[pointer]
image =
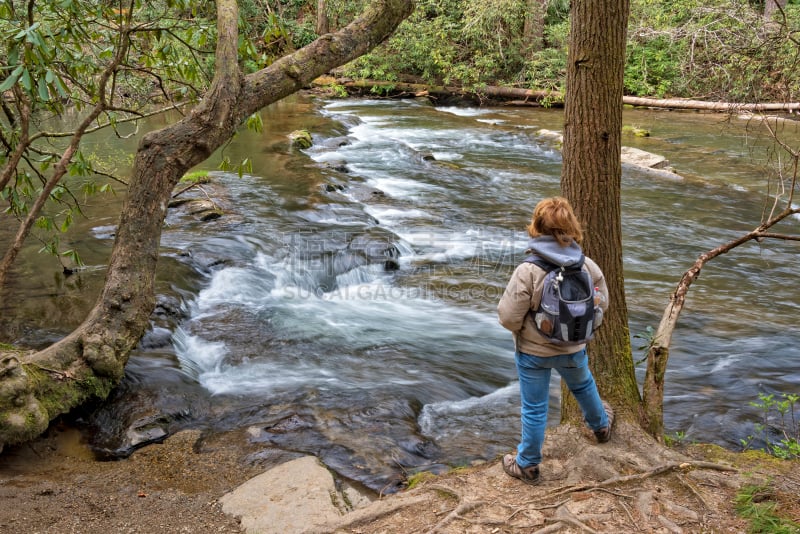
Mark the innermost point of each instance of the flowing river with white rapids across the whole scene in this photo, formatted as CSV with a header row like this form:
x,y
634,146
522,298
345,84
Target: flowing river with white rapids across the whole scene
x,y
345,304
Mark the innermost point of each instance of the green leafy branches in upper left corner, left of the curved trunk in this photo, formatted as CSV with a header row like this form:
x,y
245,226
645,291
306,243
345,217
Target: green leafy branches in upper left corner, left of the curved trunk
x,y
55,54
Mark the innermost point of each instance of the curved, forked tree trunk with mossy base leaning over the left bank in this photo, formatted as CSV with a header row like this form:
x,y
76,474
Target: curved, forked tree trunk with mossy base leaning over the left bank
x,y
37,387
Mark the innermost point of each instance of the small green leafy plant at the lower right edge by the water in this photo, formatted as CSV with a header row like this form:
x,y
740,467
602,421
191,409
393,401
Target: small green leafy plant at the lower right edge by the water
x,y
779,428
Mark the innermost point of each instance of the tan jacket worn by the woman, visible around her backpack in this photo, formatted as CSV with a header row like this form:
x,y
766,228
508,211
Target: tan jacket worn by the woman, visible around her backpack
x,y
522,295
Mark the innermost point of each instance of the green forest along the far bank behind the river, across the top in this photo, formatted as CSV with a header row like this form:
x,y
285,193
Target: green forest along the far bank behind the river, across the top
x,y
740,51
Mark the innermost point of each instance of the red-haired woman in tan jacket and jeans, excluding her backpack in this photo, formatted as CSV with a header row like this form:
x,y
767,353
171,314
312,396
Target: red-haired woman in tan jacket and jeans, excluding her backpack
x,y
555,236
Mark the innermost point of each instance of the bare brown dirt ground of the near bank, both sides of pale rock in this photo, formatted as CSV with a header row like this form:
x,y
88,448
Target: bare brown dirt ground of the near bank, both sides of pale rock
x,y
53,485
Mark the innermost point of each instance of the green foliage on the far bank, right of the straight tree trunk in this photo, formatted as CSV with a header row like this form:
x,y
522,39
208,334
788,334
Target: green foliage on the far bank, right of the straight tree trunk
x,y
722,50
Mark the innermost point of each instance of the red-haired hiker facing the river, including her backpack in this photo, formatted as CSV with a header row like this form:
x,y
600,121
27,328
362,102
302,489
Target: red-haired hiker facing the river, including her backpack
x,y
552,304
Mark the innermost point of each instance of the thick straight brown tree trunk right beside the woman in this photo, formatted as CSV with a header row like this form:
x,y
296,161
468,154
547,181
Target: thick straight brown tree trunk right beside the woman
x,y
591,179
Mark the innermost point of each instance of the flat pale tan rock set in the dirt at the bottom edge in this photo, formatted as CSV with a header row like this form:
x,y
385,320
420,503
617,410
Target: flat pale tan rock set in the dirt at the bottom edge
x,y
294,497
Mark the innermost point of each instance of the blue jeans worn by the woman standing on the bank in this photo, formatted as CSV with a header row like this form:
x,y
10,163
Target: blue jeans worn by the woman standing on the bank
x,y
534,386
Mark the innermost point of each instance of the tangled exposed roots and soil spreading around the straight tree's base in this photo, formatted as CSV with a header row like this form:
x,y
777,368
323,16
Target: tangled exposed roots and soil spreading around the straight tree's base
x,y
581,491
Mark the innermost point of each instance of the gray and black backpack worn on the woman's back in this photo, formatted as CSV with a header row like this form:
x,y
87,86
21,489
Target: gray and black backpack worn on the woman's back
x,y
567,313
